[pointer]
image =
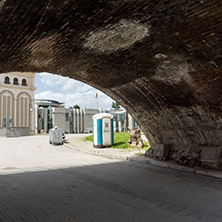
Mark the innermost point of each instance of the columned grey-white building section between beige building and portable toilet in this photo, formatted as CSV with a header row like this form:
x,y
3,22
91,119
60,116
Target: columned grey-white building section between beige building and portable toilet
x,y
50,113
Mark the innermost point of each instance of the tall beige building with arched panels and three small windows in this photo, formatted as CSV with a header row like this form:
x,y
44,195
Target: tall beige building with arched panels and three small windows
x,y
17,91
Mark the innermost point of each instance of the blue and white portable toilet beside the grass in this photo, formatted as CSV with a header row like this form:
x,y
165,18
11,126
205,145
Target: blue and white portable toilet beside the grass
x,y
103,130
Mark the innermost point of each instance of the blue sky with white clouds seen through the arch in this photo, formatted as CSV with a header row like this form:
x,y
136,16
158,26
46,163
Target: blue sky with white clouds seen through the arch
x,y
69,91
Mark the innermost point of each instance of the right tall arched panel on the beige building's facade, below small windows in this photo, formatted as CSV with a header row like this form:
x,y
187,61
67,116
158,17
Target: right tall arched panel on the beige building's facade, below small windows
x,y
23,104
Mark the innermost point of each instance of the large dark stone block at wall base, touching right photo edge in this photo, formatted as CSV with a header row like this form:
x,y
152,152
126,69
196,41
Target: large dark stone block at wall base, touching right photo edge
x,y
210,156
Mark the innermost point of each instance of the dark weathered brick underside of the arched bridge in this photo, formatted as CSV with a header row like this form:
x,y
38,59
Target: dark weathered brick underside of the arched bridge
x,y
161,60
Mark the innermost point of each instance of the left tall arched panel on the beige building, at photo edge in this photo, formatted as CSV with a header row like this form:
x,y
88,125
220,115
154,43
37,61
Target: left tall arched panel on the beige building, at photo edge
x,y
7,106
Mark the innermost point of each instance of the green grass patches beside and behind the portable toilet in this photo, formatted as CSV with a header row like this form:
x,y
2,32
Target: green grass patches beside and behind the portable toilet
x,y
120,141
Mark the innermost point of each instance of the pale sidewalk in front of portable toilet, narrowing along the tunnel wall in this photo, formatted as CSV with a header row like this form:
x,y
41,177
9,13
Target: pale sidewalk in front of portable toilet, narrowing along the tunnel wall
x,y
135,155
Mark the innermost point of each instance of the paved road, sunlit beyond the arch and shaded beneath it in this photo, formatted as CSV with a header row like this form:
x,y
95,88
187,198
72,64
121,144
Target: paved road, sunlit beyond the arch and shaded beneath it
x,y
40,182
